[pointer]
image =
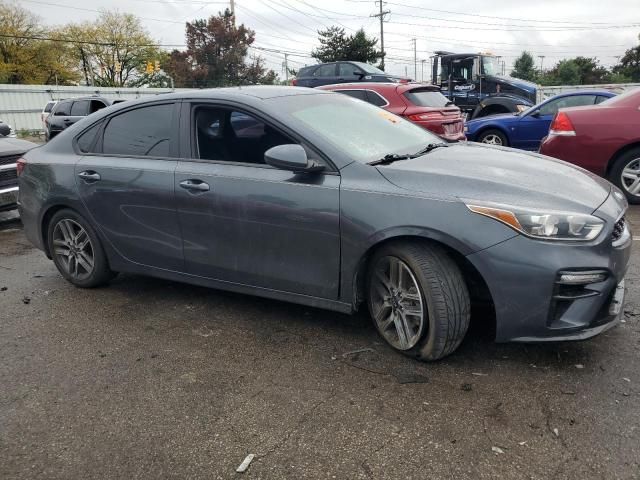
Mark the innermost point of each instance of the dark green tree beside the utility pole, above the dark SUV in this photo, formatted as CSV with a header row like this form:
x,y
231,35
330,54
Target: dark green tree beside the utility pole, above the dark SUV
x,y
336,46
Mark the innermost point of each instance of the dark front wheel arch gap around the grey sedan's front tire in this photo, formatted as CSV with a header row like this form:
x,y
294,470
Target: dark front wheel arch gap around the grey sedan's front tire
x,y
482,304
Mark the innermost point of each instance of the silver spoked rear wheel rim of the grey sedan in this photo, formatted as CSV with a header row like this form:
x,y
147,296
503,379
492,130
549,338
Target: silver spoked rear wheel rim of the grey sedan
x,y
73,248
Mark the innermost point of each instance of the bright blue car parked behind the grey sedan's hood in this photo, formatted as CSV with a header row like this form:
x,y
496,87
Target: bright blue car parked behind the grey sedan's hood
x,y
526,129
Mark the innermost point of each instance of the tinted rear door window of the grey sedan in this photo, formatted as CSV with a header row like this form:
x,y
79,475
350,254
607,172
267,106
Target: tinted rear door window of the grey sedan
x,y
141,132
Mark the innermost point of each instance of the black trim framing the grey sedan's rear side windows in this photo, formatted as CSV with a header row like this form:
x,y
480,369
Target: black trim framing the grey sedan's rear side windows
x,y
174,150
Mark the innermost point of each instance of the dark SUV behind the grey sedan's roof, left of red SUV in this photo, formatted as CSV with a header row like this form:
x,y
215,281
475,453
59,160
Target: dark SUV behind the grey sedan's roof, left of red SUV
x,y
342,72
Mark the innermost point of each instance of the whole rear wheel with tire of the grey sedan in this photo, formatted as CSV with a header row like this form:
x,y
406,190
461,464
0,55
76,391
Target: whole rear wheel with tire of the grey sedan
x,y
77,251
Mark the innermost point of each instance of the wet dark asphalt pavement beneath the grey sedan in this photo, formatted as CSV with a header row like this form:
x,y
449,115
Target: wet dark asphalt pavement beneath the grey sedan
x,y
154,379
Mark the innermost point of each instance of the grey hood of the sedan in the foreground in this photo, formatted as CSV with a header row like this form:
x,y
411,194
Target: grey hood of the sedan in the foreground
x,y
475,172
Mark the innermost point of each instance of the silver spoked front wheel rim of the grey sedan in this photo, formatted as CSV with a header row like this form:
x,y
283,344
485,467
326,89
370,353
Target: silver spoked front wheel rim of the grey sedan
x,y
396,303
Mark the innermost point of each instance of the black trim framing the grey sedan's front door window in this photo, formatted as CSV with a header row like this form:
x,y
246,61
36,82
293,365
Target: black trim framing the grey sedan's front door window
x,y
189,145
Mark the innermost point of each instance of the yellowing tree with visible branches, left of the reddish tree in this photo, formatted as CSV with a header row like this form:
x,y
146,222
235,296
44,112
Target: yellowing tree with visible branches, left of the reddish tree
x,y
112,51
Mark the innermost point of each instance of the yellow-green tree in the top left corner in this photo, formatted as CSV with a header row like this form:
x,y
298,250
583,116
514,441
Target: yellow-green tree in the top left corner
x,y
24,58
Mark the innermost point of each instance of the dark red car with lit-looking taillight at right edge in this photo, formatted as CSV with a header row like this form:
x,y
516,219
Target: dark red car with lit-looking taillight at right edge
x,y
604,139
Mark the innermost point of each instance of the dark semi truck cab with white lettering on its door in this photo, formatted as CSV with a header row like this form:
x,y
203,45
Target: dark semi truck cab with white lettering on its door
x,y
475,83
